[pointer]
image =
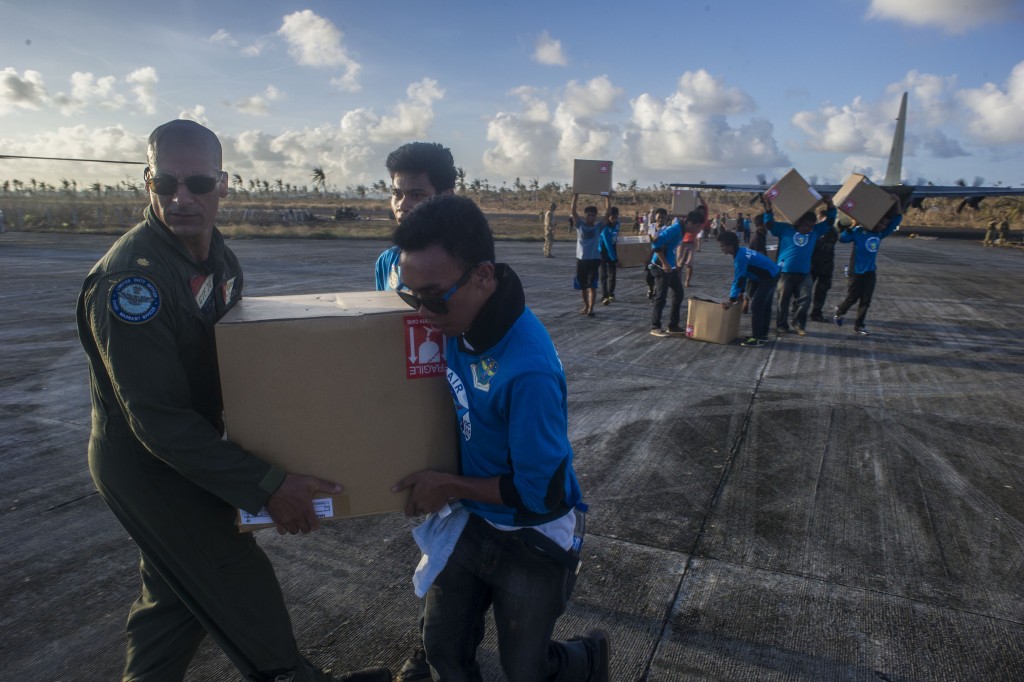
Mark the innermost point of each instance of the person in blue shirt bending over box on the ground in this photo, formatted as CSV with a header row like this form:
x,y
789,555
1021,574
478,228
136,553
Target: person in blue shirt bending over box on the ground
x,y
762,273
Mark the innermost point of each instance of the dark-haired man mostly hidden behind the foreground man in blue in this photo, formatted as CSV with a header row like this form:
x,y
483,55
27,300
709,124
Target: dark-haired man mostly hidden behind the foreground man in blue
x,y
418,170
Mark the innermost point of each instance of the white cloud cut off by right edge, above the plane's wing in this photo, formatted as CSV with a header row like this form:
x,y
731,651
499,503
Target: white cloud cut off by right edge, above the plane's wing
x,y
998,116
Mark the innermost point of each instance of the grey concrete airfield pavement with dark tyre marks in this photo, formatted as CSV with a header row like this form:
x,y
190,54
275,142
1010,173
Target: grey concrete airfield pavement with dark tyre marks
x,y
825,508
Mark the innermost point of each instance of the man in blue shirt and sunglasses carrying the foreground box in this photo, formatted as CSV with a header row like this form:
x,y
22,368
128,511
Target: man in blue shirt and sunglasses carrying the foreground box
x,y
517,480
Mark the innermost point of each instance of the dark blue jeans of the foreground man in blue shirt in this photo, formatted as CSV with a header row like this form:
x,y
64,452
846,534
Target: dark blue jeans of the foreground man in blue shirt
x,y
492,568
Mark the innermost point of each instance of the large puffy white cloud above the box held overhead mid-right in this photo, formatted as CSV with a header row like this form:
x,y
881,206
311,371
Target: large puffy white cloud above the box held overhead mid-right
x,y
690,130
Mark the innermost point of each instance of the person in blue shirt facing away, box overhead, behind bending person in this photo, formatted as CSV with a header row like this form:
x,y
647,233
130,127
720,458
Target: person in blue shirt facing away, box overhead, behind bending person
x,y
796,246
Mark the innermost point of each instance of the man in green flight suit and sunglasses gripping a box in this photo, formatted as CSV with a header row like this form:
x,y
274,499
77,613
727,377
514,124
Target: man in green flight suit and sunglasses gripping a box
x,y
146,319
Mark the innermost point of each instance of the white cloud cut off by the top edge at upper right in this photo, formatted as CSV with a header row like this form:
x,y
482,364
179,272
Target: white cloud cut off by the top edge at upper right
x,y
953,16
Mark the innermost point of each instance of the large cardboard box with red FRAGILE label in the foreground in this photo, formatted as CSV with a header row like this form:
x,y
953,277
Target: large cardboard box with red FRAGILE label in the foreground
x,y
351,388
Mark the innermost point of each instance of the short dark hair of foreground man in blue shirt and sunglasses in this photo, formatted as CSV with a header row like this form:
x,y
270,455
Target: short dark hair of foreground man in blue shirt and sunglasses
x,y
456,224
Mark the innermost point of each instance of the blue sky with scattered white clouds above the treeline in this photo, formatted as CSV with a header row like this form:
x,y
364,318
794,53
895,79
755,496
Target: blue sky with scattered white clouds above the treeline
x,y
671,91
